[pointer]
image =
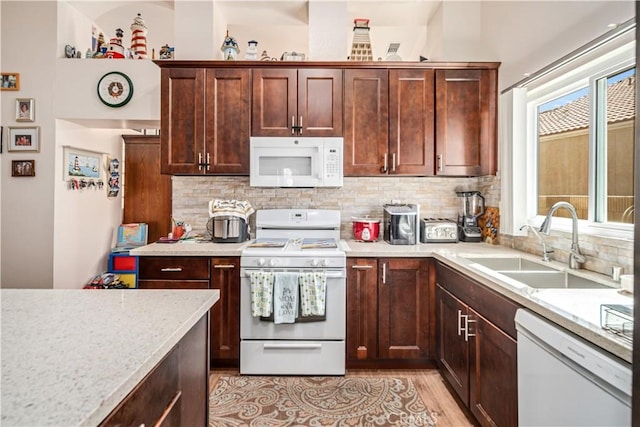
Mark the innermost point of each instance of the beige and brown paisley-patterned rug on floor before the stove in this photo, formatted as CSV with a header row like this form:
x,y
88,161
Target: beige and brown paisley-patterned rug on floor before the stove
x,y
316,401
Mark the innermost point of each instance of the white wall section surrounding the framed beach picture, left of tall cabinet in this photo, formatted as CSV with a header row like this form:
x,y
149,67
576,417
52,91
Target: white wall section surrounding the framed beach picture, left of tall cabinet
x,y
84,220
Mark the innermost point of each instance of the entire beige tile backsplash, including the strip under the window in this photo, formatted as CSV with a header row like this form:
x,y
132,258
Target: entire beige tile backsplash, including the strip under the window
x,y
365,196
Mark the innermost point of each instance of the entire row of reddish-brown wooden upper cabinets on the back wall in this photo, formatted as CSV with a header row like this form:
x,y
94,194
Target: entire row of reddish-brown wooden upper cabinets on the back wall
x,y
405,119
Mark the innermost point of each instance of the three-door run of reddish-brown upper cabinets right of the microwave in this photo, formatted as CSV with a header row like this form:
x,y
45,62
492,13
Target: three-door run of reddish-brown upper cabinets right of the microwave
x,y
420,121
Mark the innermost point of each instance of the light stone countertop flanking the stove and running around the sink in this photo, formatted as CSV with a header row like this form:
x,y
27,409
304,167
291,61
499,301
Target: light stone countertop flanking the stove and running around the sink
x,y
557,305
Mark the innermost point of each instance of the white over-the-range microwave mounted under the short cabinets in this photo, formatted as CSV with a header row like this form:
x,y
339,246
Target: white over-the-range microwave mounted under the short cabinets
x,y
296,161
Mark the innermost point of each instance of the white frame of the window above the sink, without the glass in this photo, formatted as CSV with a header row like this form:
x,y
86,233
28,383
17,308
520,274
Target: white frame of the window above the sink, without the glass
x,y
570,78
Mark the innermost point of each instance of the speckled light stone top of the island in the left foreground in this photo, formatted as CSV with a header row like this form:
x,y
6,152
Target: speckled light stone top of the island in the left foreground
x,y
70,356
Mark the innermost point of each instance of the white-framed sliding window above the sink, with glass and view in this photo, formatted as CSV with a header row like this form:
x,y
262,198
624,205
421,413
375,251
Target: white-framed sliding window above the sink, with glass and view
x,y
582,132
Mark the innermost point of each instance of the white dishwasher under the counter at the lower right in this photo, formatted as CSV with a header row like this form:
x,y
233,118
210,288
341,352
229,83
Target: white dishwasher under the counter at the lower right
x,y
565,381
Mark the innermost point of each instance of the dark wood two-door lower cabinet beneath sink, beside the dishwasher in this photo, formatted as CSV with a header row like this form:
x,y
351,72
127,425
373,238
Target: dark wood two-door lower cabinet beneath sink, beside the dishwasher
x,y
476,347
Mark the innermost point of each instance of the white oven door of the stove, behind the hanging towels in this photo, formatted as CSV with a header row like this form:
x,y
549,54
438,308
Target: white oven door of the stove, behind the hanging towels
x,y
332,326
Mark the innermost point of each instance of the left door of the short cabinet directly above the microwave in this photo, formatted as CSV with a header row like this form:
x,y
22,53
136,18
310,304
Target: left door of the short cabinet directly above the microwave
x,y
274,102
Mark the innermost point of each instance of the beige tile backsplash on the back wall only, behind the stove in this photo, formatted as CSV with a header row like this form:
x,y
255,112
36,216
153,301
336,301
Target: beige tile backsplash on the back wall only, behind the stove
x,y
358,197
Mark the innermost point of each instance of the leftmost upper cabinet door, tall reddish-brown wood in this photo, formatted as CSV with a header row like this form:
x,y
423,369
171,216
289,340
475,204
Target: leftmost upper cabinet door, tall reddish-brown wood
x,y
182,120
